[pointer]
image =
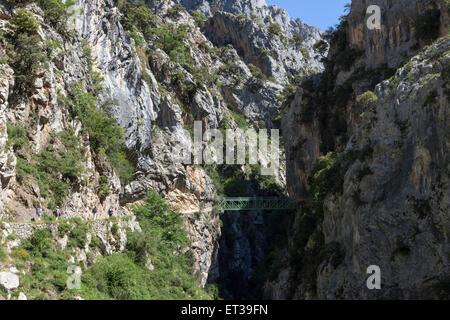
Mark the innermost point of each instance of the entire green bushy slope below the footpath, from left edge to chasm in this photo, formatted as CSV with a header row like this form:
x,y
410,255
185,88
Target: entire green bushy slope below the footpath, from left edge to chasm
x,y
120,275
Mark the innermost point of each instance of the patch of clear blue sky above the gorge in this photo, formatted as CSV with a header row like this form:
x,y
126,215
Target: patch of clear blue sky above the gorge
x,y
318,13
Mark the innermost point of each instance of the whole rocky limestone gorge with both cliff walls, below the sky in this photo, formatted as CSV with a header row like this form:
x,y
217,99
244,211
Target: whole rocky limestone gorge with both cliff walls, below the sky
x,y
96,95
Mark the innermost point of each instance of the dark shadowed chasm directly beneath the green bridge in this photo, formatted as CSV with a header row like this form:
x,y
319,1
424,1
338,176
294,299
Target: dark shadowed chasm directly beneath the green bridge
x,y
250,252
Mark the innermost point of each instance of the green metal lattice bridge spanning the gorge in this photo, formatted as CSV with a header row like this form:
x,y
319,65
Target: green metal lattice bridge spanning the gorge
x,y
250,204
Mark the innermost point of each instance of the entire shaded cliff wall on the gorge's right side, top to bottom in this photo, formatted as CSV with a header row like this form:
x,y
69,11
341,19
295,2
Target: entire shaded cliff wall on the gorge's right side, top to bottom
x,y
387,203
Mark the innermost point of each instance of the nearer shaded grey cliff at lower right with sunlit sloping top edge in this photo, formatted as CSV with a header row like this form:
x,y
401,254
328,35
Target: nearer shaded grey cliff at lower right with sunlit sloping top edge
x,y
395,214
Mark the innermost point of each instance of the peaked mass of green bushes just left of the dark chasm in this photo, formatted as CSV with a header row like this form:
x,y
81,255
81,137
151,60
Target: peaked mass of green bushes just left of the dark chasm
x,y
125,276
